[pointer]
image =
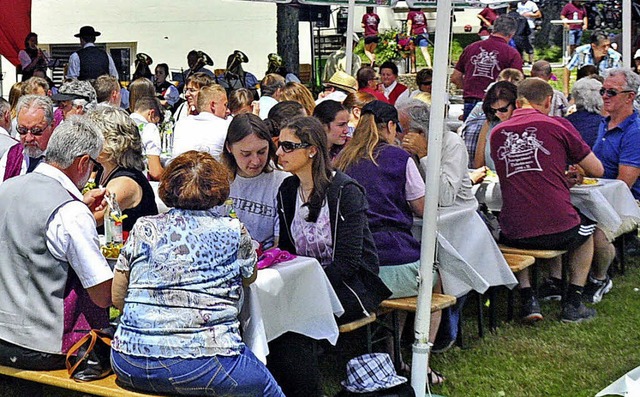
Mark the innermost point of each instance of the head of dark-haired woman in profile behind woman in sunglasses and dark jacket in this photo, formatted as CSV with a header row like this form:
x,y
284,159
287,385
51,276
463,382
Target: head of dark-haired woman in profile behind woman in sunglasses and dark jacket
x,y
335,120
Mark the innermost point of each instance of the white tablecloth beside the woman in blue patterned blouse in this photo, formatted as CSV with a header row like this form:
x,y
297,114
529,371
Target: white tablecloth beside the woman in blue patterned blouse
x,y
292,296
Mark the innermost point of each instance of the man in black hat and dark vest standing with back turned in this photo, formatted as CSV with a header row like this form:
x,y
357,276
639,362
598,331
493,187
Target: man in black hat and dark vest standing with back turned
x,y
90,61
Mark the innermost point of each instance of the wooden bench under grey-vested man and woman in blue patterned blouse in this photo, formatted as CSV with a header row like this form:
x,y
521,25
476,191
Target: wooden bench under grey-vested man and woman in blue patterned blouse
x,y
60,378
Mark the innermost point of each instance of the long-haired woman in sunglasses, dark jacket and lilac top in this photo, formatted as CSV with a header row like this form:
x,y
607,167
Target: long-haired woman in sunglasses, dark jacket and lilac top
x,y
322,214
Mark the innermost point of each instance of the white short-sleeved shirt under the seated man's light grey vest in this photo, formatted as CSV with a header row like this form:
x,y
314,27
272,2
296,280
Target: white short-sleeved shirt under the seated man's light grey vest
x,y
72,236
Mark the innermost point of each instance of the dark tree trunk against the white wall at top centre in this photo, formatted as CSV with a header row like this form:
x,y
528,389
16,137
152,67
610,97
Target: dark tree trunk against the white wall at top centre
x,y
287,32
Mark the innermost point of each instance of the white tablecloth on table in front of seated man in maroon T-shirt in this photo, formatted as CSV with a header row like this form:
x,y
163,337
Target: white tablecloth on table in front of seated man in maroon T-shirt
x,y
610,203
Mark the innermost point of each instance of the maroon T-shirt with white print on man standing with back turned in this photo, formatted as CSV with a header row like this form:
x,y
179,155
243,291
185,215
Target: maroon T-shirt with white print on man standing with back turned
x,y
482,61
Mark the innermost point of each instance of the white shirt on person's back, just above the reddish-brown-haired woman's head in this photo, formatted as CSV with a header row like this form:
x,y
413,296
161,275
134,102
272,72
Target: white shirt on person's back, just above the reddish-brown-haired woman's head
x,y
204,132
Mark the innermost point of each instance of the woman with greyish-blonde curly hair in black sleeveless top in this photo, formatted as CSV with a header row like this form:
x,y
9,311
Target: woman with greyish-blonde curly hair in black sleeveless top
x,y
120,166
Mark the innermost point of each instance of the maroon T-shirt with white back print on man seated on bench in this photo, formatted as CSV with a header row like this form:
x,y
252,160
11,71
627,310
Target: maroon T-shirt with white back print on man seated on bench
x,y
531,152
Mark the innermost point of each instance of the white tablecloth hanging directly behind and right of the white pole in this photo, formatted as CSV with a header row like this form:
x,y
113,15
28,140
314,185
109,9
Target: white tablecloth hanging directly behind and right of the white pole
x,y
468,255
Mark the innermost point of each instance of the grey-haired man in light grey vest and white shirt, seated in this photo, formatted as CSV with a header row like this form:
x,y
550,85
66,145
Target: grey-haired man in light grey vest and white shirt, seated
x,y
54,281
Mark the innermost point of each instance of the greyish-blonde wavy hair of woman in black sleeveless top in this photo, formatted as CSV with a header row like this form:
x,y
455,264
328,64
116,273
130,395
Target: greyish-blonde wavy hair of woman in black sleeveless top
x,y
122,141
